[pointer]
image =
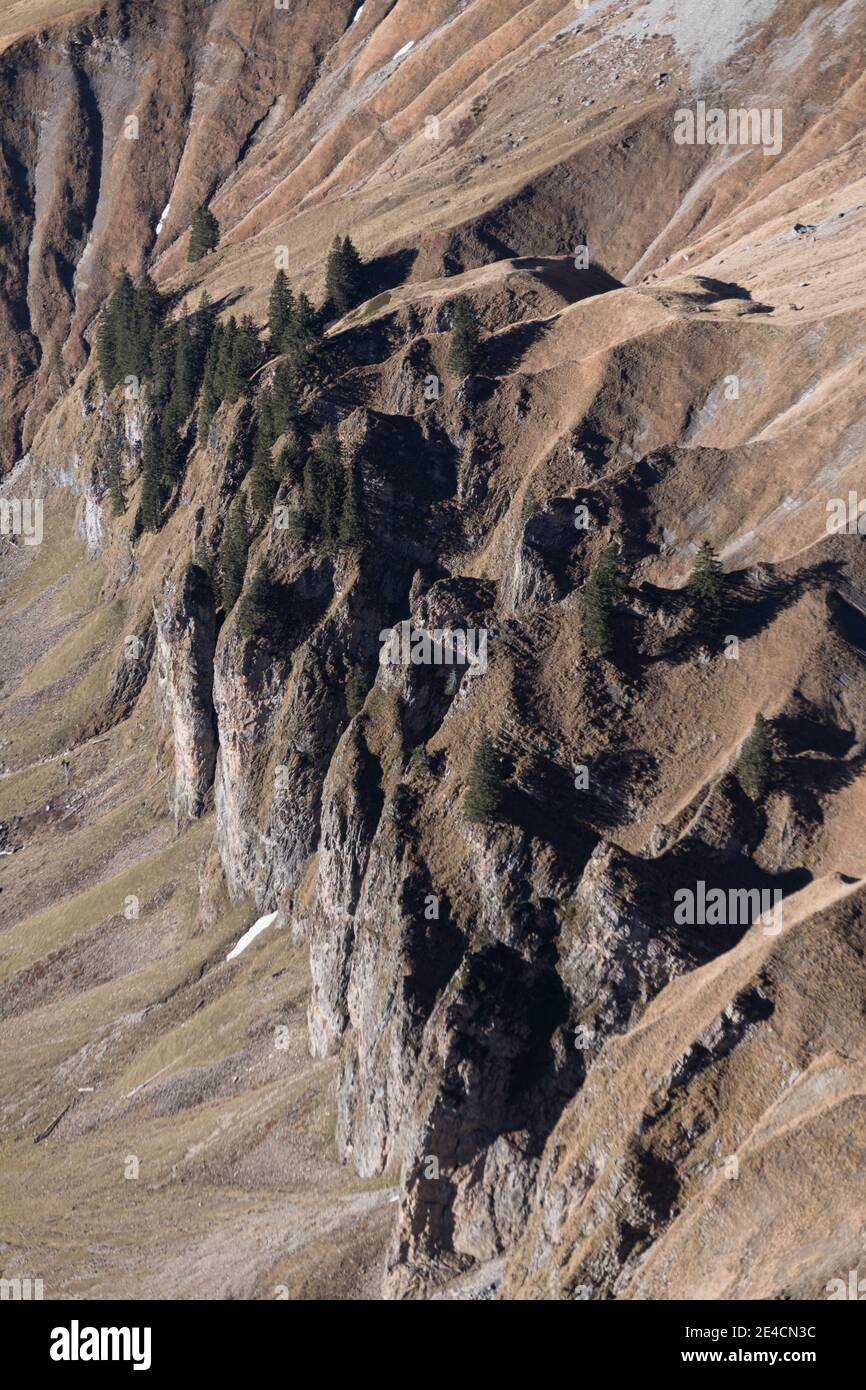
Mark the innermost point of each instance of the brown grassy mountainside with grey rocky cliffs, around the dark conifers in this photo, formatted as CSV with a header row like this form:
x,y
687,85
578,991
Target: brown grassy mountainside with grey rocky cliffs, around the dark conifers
x,y
508,1021
